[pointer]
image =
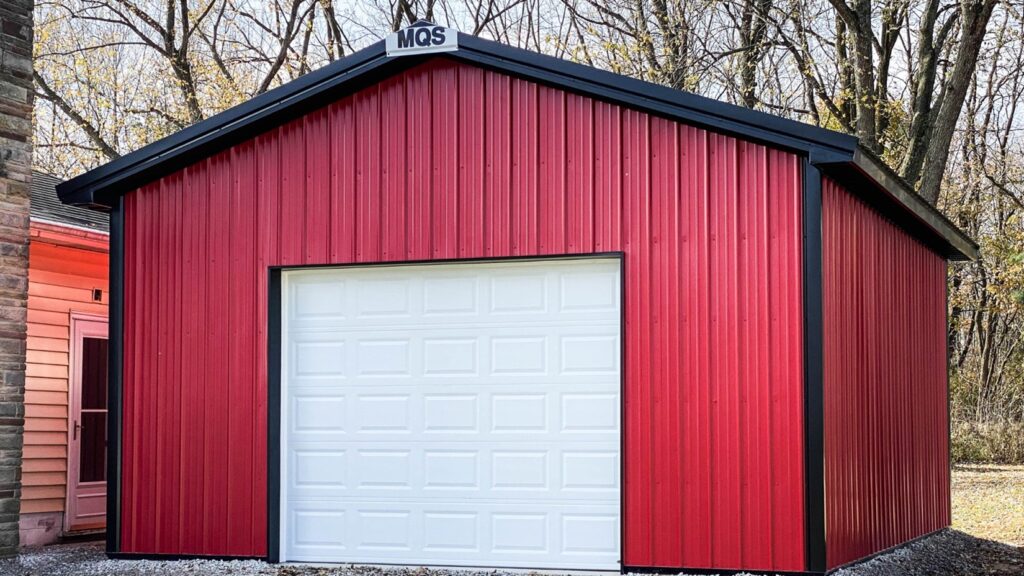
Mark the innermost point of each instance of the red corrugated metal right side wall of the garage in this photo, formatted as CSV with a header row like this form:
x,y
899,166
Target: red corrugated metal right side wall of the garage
x,y
887,452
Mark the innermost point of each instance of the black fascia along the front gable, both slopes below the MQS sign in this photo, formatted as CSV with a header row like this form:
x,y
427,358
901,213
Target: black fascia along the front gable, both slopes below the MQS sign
x,y
100,187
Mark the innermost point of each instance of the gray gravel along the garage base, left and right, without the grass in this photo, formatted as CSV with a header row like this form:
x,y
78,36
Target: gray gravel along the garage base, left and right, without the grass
x,y
948,554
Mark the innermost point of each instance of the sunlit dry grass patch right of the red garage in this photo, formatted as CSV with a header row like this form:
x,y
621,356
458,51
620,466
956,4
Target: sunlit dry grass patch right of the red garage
x,y
989,502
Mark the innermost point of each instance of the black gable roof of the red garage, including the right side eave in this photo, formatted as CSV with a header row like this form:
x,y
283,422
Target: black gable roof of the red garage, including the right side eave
x,y
835,153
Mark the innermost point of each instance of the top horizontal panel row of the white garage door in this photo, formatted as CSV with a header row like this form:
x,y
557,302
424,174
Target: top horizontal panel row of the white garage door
x,y
504,296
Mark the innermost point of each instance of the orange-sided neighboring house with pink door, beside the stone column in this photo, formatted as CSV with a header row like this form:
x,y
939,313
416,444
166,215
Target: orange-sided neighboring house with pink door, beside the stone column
x,y
64,463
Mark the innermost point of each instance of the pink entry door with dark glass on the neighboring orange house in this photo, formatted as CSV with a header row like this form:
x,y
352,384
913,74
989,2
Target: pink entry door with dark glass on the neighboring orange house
x,y
88,426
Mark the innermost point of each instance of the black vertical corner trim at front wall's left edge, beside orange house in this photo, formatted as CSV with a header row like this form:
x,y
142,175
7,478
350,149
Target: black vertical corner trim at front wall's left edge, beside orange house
x,y
115,361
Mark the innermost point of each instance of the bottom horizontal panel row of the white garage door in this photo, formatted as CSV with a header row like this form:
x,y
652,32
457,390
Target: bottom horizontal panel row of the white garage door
x,y
383,532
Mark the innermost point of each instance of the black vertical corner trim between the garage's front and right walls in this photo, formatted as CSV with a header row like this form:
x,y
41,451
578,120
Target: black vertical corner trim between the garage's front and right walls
x,y
815,484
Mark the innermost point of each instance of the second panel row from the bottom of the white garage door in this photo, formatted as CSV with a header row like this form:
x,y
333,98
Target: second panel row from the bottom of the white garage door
x,y
546,471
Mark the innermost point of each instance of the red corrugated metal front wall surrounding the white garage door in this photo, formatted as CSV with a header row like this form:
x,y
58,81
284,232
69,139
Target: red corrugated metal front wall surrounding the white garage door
x,y
450,161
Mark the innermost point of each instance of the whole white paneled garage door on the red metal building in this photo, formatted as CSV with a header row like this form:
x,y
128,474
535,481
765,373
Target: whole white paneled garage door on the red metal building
x,y
457,415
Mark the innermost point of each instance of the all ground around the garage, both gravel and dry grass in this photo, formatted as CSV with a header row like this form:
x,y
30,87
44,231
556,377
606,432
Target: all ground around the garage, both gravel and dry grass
x,y
987,540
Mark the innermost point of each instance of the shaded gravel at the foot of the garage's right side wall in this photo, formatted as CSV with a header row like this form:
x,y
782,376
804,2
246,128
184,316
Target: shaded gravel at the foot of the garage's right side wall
x,y
949,554
